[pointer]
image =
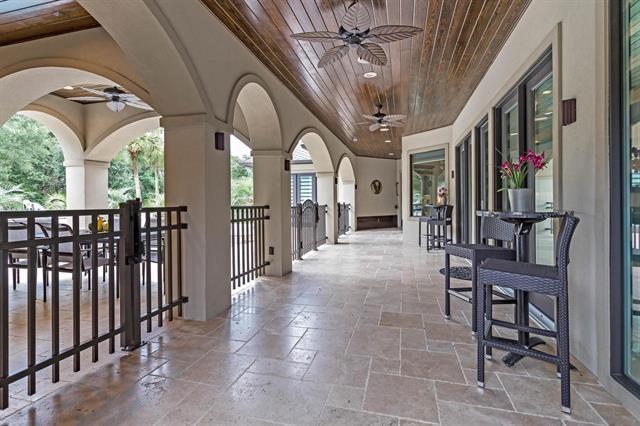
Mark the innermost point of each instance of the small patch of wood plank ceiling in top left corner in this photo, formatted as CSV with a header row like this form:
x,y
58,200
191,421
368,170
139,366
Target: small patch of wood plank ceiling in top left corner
x,y
24,20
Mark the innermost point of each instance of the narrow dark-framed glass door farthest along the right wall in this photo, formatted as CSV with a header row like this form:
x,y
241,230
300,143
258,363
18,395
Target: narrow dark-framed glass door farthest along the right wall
x,y
463,191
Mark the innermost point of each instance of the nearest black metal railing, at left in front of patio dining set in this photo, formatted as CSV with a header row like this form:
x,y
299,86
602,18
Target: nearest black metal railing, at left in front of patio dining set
x,y
81,243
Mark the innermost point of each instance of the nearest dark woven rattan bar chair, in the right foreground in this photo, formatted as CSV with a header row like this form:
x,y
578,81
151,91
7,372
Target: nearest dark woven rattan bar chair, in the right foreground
x,y
529,277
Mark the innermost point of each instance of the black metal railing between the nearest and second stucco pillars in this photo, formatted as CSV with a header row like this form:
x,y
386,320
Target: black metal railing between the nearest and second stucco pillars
x,y
248,255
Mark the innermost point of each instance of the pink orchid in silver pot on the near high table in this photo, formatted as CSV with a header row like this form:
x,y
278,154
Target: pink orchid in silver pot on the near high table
x,y
514,173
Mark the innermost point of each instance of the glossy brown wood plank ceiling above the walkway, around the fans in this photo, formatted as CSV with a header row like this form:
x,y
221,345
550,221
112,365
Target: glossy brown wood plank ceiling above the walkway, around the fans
x,y
429,77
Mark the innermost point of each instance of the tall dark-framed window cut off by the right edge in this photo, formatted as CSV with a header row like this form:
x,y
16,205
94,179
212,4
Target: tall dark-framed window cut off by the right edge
x,y
625,194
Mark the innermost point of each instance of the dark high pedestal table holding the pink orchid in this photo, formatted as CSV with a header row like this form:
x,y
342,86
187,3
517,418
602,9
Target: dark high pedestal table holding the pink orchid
x,y
523,222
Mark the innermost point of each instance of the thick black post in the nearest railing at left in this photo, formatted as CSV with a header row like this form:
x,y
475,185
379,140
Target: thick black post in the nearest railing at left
x,y
130,250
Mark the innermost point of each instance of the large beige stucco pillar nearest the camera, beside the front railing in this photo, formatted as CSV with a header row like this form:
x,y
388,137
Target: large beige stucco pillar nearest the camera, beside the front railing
x,y
198,176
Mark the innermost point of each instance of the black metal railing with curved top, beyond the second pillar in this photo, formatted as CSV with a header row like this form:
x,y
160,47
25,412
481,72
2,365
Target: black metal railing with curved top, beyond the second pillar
x,y
308,228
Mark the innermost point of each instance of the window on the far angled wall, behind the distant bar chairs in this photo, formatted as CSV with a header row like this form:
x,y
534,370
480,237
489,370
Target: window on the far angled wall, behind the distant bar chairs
x,y
428,173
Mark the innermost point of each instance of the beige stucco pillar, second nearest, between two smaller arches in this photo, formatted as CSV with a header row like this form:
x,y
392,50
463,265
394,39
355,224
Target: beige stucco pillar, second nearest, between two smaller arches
x,y
272,187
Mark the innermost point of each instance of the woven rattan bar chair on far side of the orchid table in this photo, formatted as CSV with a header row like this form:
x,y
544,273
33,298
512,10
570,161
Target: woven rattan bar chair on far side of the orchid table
x,y
491,230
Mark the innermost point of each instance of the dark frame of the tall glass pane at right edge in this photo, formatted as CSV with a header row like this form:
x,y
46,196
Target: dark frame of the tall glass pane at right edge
x,y
617,214
